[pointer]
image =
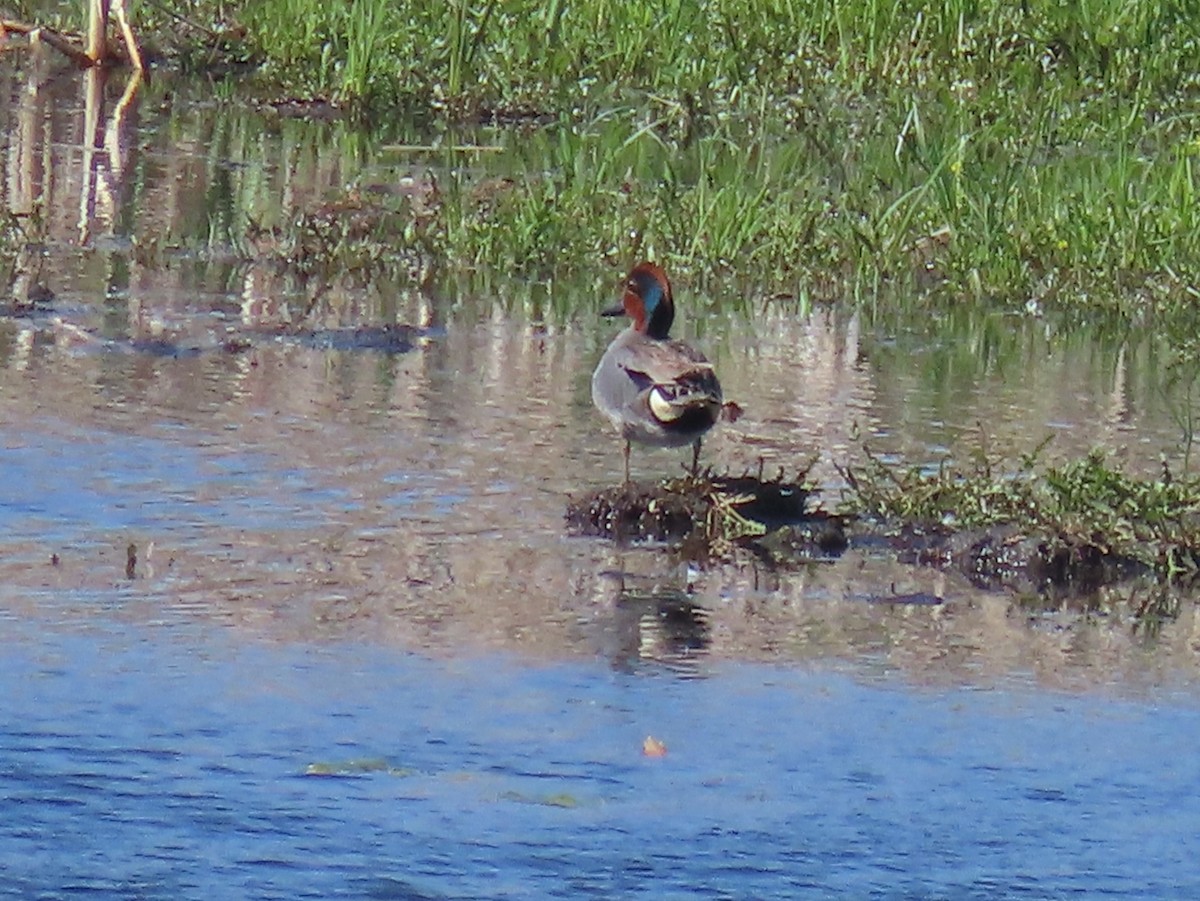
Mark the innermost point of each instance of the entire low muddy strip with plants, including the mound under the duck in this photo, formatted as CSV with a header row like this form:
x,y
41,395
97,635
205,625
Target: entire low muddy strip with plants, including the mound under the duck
x,y
1066,531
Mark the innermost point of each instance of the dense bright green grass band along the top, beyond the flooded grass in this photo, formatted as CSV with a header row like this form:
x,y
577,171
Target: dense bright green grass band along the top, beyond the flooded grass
x,y
713,57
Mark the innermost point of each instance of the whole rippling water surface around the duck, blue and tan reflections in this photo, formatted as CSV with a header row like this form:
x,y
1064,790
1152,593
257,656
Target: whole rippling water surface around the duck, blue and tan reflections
x,y
220,570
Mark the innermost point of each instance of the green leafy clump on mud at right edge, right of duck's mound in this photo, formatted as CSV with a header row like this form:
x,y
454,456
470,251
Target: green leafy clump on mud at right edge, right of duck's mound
x,y
1082,521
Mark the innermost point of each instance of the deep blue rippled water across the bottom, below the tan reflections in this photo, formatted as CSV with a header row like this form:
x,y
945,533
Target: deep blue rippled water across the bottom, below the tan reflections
x,y
170,762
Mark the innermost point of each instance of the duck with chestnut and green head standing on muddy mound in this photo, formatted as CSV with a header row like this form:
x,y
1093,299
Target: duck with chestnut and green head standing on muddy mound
x,y
653,389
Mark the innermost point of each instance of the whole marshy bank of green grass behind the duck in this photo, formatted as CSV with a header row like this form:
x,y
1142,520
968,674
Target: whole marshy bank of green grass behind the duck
x,y
1027,157
